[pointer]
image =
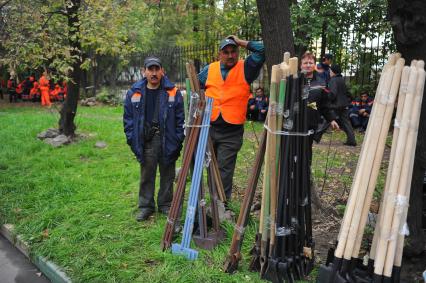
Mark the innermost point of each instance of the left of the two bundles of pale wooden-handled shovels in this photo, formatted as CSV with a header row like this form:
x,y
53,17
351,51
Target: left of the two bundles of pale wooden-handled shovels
x,y
362,187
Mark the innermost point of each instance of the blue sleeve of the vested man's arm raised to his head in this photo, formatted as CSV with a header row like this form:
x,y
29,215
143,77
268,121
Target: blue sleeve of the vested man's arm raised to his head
x,y
254,61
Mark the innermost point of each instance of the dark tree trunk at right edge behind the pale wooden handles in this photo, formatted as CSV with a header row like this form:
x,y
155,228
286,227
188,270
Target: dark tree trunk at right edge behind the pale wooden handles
x,y
408,20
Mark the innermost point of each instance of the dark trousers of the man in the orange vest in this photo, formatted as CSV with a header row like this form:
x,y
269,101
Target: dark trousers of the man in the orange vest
x,y
227,141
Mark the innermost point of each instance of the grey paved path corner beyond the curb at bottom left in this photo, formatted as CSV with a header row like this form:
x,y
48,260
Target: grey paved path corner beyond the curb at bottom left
x,y
15,267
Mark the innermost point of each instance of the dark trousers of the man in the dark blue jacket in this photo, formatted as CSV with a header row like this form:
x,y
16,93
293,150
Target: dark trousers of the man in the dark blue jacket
x,y
152,158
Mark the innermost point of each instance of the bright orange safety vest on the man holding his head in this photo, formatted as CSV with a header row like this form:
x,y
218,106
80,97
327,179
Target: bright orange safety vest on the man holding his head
x,y
230,96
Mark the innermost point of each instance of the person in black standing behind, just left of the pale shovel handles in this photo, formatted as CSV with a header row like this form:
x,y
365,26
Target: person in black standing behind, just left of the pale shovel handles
x,y
340,102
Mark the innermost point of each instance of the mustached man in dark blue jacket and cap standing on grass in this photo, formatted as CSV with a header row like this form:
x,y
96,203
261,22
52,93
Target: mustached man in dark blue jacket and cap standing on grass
x,y
153,123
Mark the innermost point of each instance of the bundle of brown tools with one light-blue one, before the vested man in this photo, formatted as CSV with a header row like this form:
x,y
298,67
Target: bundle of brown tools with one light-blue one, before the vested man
x,y
196,139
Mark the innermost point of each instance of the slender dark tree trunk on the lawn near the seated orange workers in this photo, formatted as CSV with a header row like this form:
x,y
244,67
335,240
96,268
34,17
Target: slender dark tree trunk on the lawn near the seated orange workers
x,y
69,109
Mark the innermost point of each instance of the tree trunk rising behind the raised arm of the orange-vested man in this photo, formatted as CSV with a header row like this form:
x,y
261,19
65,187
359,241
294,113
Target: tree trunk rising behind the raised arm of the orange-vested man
x,y
276,30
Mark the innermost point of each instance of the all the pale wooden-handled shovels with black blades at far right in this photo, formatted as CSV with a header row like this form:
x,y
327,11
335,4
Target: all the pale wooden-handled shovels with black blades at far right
x,y
385,256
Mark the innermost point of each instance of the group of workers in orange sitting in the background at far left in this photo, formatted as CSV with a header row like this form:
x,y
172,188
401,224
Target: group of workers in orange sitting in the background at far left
x,y
43,90
